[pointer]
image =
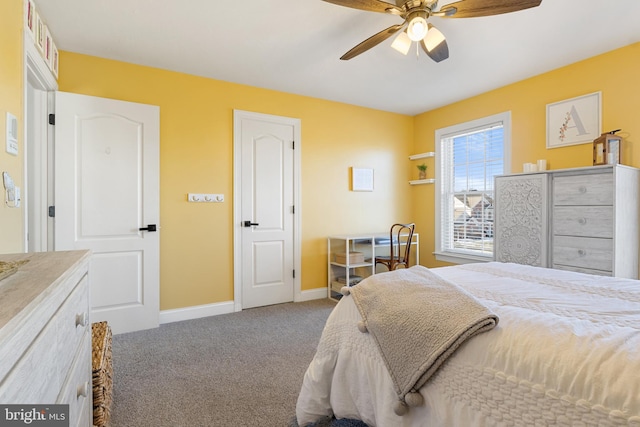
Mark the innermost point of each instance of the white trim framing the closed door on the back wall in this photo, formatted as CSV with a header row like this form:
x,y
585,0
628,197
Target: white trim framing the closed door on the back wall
x,y
238,116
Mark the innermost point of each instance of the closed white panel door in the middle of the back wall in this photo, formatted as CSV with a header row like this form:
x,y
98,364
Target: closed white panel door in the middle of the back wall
x,y
265,222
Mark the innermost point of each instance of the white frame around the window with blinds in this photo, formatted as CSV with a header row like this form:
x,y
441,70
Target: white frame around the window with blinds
x,y
440,253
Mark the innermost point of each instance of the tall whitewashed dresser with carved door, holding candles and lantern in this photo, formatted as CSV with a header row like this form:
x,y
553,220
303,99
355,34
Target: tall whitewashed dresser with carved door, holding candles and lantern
x,y
583,219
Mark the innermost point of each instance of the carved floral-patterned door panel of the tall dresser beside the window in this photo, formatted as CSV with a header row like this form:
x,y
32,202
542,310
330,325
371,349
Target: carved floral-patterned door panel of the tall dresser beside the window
x,y
521,225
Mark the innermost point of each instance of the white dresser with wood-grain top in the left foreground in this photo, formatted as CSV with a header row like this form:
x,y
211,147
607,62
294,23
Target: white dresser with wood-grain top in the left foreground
x,y
45,333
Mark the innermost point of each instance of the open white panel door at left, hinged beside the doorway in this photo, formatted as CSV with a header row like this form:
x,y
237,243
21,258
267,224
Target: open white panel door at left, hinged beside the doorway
x,y
106,193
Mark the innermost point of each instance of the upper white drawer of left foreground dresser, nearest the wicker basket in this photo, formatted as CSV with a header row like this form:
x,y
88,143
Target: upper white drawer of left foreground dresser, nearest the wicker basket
x,y
73,323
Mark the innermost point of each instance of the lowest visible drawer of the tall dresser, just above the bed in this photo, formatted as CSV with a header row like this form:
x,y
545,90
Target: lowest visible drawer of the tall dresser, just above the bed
x,y
583,252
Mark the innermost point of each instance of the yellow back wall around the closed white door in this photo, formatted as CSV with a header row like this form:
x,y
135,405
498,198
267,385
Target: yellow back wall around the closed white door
x,y
196,155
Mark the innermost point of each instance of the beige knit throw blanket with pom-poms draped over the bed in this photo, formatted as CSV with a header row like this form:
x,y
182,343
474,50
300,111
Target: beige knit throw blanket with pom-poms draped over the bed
x,y
417,320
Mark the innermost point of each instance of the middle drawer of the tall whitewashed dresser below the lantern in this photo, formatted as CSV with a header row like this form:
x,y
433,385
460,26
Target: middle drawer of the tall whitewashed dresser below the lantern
x,y
583,221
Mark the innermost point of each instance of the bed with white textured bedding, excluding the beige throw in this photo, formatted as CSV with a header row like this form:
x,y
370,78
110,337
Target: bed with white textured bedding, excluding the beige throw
x,y
565,352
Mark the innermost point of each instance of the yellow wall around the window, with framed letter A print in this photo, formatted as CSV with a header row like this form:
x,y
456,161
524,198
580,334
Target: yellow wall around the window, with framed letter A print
x,y
615,74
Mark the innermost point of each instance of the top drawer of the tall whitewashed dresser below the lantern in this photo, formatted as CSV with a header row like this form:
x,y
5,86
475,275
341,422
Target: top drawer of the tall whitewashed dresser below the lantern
x,y
577,190
